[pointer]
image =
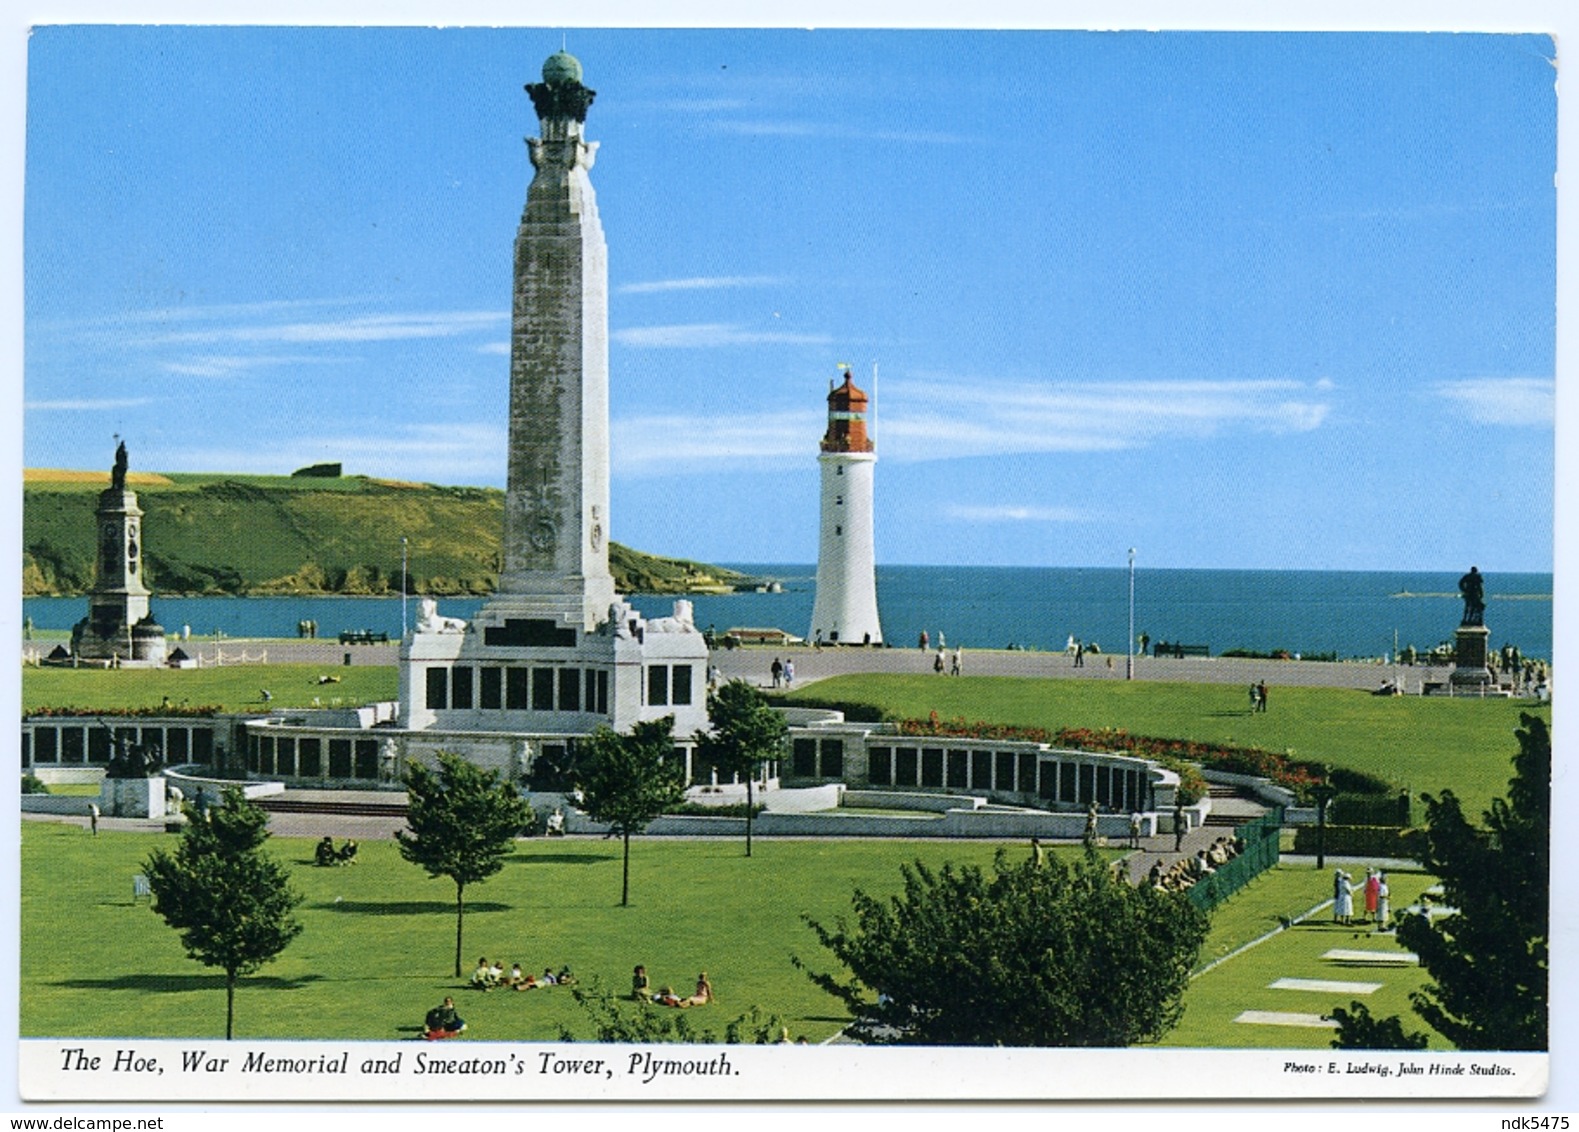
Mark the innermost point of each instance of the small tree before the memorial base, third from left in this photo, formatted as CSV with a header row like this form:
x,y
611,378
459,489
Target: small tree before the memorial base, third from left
x,y
629,781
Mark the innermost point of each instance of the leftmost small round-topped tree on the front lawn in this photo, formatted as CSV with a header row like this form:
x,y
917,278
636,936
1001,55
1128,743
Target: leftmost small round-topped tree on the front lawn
x,y
225,894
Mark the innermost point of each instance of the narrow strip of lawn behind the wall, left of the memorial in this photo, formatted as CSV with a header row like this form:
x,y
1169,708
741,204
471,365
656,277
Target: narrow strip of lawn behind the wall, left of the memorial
x,y
231,689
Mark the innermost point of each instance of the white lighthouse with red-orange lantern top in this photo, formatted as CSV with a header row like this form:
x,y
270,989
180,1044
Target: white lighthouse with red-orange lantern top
x,y
847,587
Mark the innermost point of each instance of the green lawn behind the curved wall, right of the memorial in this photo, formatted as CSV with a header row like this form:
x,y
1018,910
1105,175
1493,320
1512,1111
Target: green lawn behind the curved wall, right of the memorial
x,y
1422,744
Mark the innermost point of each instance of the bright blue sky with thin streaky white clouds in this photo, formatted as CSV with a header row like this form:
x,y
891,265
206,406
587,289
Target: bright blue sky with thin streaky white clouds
x,y
1236,301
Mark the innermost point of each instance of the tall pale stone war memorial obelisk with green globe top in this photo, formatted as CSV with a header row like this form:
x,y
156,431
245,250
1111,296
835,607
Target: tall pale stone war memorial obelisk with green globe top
x,y
557,653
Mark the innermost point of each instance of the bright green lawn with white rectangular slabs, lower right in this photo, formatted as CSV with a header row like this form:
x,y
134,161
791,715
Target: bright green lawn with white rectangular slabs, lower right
x,y
1221,995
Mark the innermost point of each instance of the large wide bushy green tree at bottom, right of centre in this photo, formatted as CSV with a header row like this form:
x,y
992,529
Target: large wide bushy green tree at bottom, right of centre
x,y
1033,954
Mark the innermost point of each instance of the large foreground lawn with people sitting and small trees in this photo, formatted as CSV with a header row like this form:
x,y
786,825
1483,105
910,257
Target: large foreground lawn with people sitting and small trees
x,y
378,939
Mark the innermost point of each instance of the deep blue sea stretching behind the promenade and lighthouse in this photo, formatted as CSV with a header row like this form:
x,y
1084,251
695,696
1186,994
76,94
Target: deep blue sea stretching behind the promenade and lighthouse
x,y
1305,612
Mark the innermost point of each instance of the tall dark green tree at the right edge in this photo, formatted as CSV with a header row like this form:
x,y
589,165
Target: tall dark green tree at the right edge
x,y
1488,961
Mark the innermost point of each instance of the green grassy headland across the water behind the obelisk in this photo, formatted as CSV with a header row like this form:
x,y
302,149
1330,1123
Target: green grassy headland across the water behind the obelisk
x,y
279,534
